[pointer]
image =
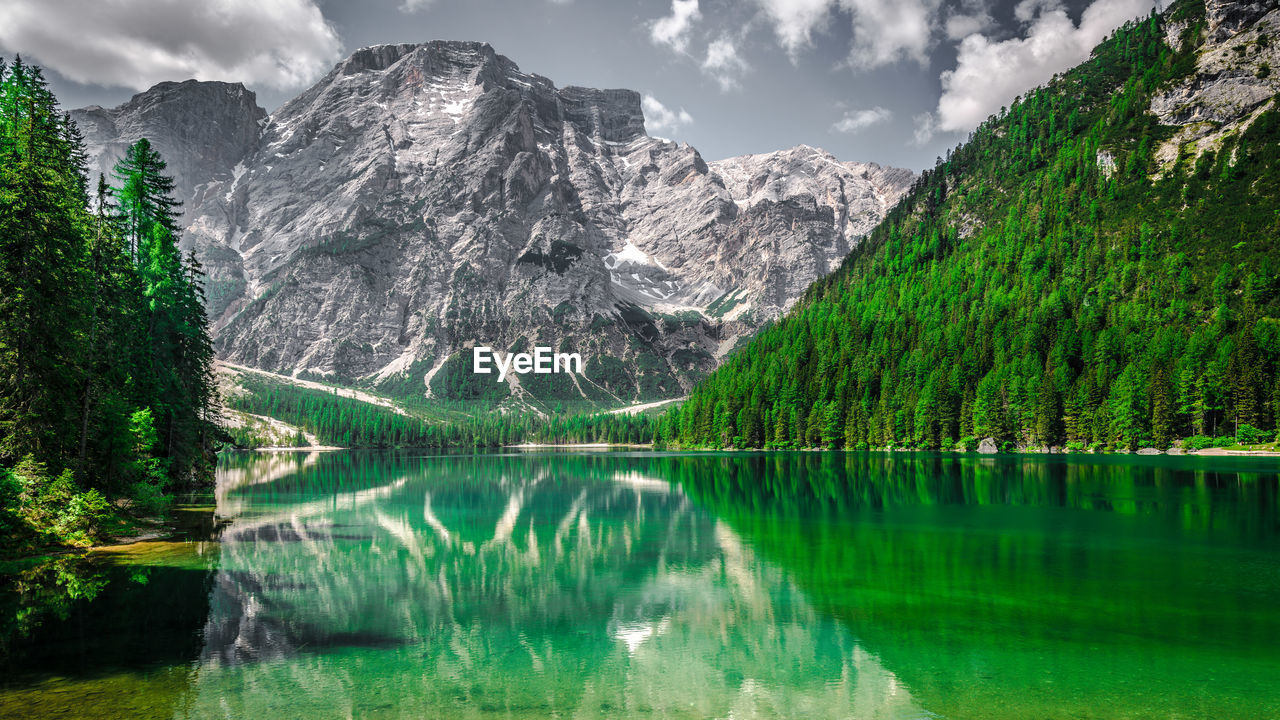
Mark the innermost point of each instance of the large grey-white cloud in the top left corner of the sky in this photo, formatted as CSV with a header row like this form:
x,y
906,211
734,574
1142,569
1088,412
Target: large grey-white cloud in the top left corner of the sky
x,y
280,44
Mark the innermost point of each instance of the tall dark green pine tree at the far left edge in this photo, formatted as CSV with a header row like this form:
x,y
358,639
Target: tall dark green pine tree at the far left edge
x,y
42,272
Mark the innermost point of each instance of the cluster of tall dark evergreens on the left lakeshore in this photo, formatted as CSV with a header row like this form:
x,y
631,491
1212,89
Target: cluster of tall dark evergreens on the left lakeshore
x,y
107,397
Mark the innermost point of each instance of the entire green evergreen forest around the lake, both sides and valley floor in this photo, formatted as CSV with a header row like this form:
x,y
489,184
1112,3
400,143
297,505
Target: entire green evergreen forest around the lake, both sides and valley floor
x,y
1054,282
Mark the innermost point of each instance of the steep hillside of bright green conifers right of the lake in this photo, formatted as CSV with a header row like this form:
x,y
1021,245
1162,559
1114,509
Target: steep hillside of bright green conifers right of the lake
x,y
1048,284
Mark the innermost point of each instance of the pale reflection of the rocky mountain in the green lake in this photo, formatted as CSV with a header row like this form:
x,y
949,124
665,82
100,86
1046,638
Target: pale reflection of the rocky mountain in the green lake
x,y
509,585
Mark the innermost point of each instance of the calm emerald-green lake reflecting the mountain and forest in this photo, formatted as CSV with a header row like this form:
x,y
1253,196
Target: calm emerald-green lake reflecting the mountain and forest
x,y
634,585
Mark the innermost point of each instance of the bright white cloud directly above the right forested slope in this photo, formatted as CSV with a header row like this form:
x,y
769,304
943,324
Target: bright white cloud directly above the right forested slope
x,y
990,75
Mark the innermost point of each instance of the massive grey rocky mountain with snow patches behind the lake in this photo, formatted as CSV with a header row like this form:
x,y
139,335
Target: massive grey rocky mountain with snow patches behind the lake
x,y
422,199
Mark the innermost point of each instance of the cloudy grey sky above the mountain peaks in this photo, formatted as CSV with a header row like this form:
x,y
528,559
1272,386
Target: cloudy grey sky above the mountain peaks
x,y
897,83
